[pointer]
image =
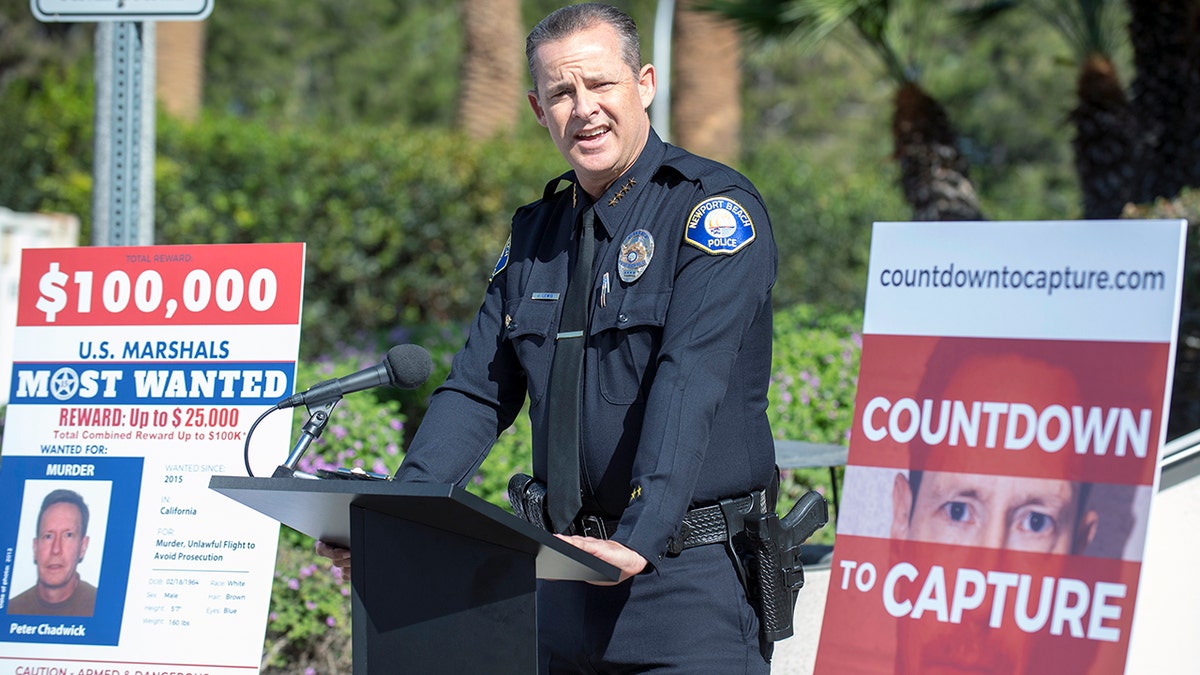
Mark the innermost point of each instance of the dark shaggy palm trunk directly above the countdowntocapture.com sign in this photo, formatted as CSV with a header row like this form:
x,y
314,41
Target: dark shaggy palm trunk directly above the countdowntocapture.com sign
x,y
933,171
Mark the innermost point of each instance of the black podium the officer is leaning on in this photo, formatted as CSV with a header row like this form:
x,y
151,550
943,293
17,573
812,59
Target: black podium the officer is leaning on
x,y
443,582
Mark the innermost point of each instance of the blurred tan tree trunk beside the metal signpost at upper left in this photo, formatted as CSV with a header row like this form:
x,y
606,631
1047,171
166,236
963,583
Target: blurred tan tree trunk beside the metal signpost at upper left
x,y
179,68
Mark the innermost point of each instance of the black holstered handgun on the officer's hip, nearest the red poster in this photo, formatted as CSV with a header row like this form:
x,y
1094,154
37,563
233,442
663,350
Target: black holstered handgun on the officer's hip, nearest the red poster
x,y
767,552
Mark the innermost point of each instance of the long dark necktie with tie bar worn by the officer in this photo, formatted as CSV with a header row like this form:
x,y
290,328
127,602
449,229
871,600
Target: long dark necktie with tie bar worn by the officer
x,y
567,384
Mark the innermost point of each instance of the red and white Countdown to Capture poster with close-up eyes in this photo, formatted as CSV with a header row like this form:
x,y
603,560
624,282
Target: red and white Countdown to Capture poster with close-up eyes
x,y
1009,425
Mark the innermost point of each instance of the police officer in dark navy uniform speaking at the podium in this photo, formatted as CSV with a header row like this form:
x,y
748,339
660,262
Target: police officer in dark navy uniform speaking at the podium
x,y
676,363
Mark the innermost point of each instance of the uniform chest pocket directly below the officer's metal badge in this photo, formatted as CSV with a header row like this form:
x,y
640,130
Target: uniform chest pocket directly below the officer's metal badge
x,y
626,339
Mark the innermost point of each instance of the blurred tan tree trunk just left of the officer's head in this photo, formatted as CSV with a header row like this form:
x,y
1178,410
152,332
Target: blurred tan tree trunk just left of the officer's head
x,y
493,92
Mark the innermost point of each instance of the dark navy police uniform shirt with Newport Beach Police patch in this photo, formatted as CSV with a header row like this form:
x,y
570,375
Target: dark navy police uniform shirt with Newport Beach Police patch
x,y
677,357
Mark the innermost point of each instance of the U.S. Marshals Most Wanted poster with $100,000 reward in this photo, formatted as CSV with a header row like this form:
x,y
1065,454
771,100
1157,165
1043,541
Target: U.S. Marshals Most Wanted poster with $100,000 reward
x,y
137,374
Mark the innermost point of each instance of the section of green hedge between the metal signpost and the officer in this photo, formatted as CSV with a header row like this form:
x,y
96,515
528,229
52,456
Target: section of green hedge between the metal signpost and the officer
x,y
401,229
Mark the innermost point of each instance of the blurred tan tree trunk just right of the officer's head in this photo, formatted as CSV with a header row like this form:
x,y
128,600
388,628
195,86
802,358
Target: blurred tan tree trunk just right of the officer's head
x,y
706,91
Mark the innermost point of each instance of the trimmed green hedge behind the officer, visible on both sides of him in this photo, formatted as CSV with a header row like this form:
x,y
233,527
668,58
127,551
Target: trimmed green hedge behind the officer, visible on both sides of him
x,y
403,226
